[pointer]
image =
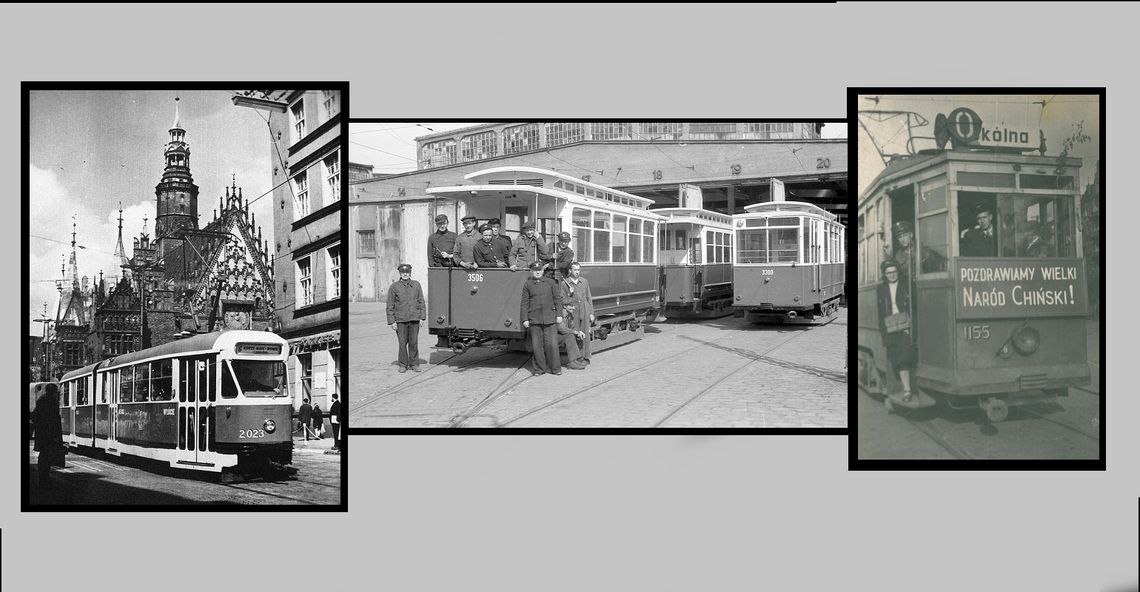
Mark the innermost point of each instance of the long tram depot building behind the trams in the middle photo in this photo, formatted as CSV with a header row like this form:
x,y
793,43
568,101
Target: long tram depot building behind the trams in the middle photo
x,y
729,166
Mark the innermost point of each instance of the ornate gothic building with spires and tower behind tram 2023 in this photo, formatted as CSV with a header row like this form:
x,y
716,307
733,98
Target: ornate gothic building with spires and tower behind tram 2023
x,y
185,280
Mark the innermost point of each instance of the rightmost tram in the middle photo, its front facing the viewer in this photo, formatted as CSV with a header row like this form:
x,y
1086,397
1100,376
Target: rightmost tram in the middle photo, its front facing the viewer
x,y
789,265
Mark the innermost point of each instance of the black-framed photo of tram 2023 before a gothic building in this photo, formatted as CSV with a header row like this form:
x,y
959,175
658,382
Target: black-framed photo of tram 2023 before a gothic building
x,y
183,313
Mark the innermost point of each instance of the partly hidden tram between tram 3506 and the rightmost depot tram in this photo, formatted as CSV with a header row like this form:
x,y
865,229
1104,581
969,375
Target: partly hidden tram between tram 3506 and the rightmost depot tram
x,y
696,263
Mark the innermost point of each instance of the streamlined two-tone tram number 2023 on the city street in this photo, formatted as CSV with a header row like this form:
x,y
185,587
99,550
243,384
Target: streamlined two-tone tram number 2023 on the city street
x,y
205,402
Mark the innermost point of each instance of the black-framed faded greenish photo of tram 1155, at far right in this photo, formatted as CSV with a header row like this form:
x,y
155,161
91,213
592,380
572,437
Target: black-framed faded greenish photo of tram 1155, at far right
x,y
980,275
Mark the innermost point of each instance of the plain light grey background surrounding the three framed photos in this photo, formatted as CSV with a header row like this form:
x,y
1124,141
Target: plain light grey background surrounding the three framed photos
x,y
636,513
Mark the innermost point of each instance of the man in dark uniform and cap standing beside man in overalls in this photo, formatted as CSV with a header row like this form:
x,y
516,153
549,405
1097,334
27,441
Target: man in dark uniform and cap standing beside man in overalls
x,y
541,311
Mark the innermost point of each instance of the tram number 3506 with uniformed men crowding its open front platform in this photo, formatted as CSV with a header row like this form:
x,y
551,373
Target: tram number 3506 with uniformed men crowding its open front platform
x,y
614,238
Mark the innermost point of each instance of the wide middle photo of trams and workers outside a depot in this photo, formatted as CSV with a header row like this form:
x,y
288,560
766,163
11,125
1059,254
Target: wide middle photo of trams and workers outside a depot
x,y
598,275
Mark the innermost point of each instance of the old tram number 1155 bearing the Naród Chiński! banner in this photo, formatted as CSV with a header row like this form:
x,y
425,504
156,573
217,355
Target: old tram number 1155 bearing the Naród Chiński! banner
x,y
994,326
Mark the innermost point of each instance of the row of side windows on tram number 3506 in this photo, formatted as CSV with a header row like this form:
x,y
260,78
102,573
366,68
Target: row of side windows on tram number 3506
x,y
606,238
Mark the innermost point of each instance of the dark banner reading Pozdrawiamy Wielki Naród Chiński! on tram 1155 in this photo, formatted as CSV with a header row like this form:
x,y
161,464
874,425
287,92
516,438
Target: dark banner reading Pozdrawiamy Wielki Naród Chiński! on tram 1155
x,y
1021,288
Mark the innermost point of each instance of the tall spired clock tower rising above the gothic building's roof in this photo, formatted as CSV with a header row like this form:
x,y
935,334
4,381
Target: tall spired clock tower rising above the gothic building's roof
x,y
178,197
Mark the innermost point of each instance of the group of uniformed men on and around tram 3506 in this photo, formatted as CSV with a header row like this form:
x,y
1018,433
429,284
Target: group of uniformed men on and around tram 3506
x,y
557,302
